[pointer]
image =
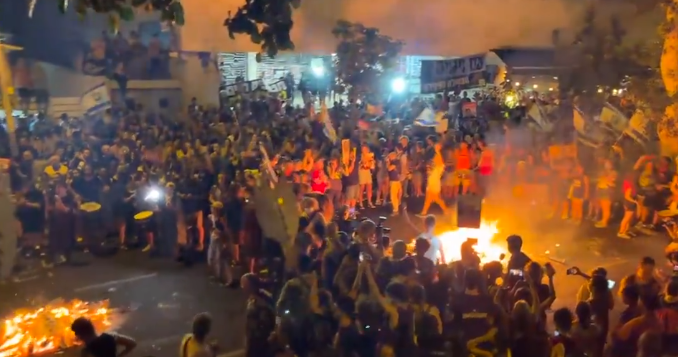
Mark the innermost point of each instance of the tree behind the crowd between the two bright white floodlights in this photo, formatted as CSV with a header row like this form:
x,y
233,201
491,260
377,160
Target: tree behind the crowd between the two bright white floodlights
x,y
365,59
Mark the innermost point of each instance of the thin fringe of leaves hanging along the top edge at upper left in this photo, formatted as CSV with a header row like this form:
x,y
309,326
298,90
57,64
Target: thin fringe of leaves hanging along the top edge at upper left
x,y
123,10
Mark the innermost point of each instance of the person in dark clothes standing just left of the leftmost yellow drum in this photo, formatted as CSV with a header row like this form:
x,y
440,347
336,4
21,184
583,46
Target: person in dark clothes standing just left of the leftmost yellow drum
x,y
61,238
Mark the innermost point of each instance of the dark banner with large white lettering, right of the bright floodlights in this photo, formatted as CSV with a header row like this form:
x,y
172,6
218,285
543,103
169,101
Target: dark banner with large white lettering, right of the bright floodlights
x,y
453,74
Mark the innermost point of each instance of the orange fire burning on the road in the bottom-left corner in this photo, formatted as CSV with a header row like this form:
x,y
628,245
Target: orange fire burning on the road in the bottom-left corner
x,y
48,329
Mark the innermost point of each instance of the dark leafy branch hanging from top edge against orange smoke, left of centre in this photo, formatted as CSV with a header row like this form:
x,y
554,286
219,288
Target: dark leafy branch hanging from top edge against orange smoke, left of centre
x,y
267,23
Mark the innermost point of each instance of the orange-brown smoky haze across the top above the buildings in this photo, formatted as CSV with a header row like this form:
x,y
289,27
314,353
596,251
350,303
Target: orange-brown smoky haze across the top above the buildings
x,y
432,27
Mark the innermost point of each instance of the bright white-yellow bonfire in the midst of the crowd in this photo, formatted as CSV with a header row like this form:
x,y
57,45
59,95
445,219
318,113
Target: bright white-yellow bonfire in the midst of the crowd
x,y
487,250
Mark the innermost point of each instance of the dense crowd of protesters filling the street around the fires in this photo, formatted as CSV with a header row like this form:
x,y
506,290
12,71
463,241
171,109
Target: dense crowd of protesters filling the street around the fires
x,y
187,189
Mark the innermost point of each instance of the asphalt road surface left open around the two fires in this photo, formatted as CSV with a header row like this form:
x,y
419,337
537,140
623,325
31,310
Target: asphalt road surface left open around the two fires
x,y
160,297
